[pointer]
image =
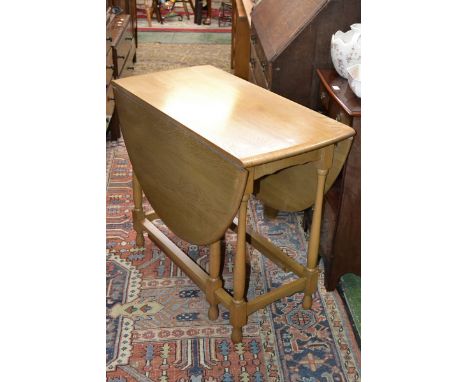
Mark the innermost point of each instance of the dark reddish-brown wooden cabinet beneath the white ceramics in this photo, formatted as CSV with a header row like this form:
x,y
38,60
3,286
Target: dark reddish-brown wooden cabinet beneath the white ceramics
x,y
340,239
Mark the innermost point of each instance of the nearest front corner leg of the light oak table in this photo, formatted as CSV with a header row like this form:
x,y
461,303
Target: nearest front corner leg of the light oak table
x,y
238,311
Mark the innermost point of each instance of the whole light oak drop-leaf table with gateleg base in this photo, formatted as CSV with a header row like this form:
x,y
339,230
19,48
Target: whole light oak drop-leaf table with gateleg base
x,y
201,141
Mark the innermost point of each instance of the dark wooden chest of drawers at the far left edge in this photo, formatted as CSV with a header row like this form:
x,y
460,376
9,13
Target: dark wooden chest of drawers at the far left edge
x,y
120,58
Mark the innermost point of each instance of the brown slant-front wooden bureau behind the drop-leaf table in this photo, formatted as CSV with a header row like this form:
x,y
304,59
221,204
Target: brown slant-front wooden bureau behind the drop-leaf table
x,y
290,40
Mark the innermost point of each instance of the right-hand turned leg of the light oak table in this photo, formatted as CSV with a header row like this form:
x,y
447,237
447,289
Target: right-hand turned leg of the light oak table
x,y
312,250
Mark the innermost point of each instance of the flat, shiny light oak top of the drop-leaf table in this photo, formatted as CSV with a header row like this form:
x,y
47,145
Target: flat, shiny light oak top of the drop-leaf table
x,y
249,124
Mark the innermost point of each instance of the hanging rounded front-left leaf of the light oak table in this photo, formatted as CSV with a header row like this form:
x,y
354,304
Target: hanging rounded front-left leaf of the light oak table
x,y
192,188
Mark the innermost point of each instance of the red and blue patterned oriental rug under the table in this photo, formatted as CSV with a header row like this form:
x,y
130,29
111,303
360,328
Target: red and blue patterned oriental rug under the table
x,y
157,322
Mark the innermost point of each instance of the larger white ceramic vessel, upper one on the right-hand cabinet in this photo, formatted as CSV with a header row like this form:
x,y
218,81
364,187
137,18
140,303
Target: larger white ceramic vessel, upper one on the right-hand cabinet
x,y
346,49
